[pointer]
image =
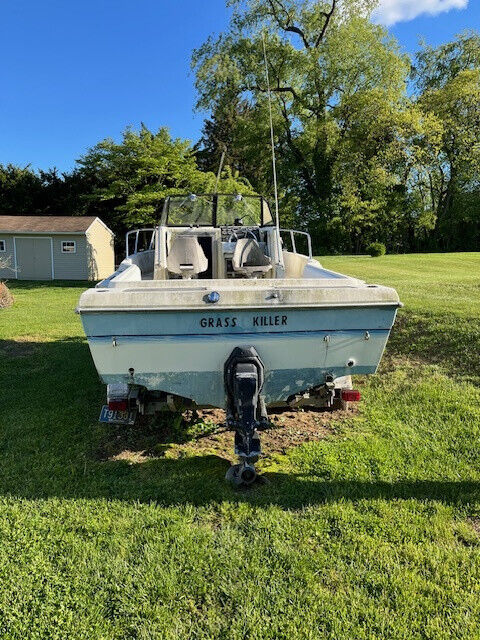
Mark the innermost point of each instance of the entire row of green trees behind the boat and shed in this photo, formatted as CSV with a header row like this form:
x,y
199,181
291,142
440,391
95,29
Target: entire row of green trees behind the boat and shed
x,y
371,144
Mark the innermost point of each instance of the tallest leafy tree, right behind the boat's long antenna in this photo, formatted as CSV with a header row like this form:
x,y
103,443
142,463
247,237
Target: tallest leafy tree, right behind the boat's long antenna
x,y
329,67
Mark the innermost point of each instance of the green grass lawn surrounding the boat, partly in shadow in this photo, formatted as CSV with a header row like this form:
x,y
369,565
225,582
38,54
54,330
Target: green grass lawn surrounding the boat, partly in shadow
x,y
371,533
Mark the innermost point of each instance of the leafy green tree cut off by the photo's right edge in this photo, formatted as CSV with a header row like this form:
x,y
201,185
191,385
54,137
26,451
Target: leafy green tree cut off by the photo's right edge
x,y
448,91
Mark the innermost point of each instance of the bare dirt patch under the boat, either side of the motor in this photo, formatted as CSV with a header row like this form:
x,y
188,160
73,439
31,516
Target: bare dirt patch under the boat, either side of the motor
x,y
203,432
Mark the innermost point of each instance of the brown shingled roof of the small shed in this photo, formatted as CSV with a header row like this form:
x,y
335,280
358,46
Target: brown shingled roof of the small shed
x,y
46,224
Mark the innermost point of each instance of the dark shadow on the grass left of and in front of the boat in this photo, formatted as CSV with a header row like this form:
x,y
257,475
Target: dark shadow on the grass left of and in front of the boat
x,y
50,438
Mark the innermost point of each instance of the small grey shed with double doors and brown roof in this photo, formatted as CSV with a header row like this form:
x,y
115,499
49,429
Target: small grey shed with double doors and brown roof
x,y
55,248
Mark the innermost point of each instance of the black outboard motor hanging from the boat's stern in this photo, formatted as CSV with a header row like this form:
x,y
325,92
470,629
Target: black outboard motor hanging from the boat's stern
x,y
244,378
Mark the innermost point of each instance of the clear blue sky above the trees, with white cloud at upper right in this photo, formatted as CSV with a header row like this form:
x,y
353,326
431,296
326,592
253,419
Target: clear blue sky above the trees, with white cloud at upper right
x,y
72,73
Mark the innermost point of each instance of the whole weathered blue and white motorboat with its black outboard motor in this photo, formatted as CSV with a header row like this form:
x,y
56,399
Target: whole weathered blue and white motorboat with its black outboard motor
x,y
219,307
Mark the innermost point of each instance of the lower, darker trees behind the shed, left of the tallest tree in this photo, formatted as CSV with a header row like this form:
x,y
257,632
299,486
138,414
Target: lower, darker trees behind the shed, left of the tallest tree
x,y
124,183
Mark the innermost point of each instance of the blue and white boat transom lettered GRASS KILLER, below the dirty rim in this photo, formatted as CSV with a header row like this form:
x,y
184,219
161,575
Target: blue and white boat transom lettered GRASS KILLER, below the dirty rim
x,y
185,353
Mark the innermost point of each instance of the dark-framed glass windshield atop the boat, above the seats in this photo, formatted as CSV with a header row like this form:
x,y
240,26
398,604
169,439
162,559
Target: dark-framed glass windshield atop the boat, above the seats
x,y
216,211
